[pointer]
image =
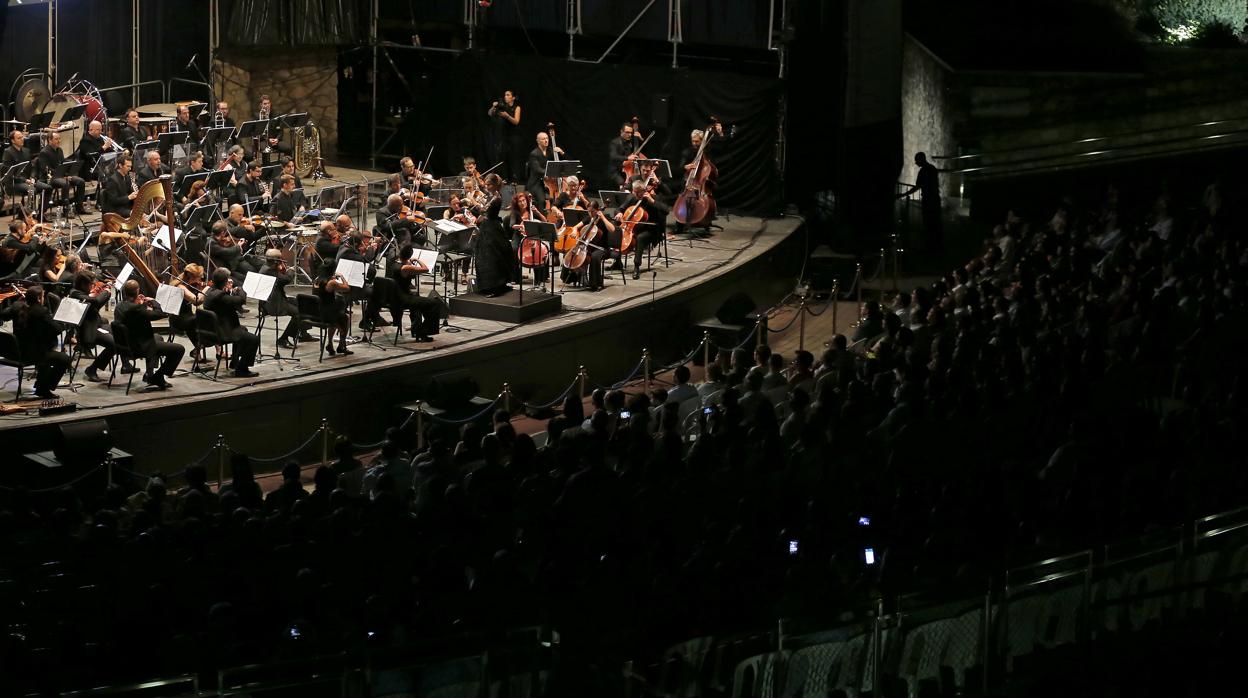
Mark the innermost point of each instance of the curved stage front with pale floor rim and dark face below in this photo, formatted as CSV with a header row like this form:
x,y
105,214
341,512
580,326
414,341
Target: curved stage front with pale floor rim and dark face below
x,y
605,332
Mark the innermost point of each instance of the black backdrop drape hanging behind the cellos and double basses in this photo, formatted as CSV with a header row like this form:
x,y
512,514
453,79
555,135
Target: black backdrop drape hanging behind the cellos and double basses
x,y
588,103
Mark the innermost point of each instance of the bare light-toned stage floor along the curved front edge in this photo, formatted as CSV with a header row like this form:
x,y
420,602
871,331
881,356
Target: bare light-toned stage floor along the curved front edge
x,y
742,243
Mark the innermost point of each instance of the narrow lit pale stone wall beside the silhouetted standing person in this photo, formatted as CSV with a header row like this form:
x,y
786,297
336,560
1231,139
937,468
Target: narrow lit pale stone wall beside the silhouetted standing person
x,y
927,112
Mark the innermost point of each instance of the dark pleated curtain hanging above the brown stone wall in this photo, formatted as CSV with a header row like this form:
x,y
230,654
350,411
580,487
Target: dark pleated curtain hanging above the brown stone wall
x,y
295,23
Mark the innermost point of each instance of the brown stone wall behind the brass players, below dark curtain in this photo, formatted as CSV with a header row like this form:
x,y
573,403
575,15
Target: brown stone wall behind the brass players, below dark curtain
x,y
295,79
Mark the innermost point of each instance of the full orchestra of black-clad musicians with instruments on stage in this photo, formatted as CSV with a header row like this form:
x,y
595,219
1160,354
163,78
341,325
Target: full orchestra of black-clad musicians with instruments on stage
x,y
215,208
